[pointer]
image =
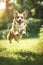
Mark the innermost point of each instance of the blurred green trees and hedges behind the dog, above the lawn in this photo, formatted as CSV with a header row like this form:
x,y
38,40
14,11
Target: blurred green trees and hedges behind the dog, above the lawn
x,y
34,19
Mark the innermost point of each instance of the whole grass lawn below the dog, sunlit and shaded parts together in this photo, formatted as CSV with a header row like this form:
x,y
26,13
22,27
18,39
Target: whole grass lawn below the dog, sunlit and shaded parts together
x,y
26,52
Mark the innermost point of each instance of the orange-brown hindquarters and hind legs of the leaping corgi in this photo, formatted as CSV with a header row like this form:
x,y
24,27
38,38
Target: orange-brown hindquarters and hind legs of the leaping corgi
x,y
11,36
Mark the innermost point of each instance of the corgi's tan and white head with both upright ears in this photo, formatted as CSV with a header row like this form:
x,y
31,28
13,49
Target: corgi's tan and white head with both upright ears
x,y
20,17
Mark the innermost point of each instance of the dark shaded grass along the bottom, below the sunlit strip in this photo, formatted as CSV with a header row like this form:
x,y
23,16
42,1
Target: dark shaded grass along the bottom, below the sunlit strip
x,y
24,58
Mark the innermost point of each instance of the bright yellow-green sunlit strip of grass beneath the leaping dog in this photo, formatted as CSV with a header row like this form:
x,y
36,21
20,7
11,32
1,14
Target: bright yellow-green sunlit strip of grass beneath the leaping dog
x,y
23,45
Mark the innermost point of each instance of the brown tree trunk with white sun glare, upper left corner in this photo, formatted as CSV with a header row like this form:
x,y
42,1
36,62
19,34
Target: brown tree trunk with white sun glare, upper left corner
x,y
5,6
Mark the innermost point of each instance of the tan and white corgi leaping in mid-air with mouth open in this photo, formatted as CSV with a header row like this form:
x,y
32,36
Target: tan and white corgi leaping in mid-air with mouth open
x,y
18,26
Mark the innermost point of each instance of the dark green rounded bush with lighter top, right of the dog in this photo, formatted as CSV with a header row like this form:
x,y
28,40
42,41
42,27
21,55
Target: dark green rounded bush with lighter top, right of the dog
x,y
33,26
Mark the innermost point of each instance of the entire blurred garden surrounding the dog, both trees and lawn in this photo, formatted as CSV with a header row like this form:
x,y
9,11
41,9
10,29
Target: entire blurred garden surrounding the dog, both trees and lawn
x,y
30,50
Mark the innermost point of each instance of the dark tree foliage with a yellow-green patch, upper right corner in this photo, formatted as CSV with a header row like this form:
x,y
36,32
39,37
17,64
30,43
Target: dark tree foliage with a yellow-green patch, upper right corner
x,y
35,7
